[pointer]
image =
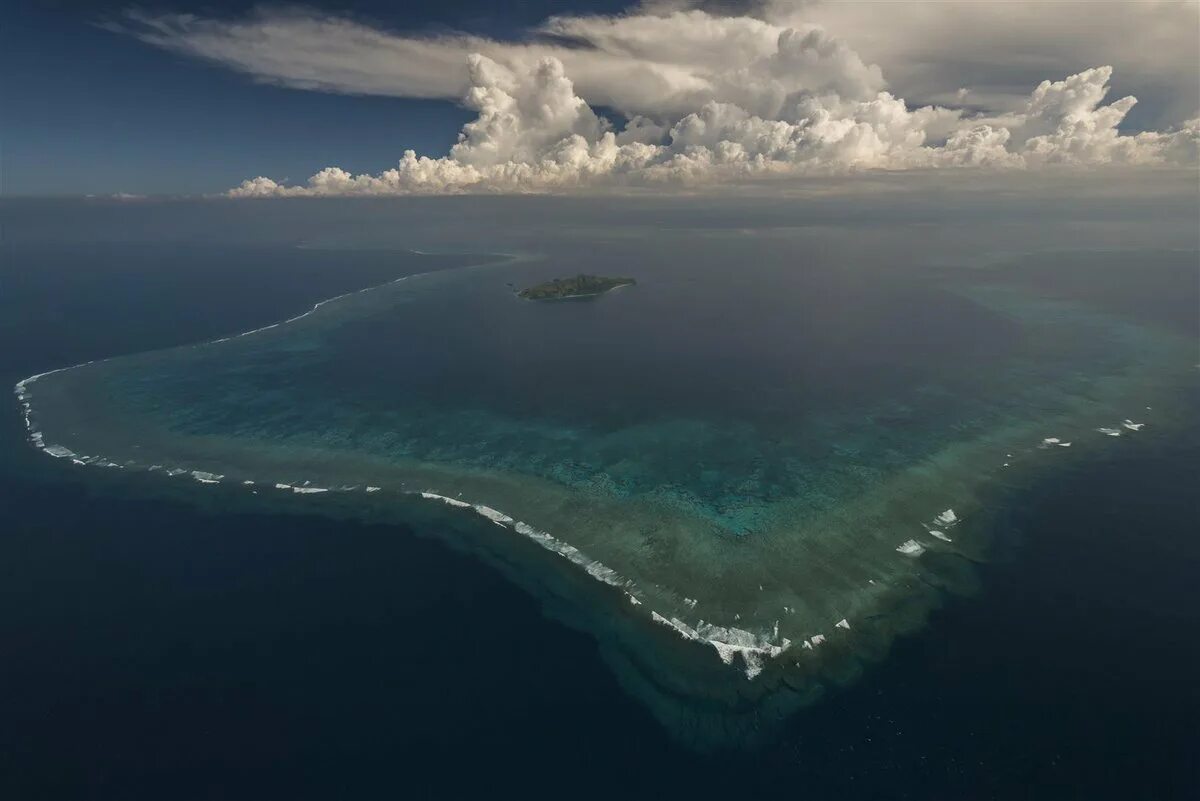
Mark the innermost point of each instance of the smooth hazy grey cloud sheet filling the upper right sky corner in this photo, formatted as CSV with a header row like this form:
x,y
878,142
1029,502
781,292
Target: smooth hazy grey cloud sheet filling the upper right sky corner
x,y
998,49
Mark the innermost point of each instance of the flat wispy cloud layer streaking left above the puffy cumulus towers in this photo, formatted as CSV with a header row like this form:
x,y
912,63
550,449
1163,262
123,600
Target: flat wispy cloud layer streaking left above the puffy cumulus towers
x,y
638,65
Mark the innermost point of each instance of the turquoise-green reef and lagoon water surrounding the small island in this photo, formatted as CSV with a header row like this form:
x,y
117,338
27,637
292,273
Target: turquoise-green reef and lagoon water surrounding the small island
x,y
757,459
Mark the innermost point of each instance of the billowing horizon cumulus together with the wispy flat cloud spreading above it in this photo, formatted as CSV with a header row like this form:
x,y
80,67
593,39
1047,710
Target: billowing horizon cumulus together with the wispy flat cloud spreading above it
x,y
688,98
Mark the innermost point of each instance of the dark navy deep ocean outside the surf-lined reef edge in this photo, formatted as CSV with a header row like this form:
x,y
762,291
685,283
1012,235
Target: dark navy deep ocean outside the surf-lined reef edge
x,y
161,652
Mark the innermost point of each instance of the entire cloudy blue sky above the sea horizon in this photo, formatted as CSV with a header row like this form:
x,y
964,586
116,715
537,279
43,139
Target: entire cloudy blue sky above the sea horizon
x,y
377,98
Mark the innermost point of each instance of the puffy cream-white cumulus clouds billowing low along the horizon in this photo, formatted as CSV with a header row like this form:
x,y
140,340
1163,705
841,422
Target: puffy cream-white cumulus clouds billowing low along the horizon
x,y
536,134
